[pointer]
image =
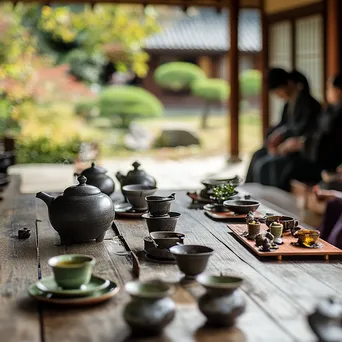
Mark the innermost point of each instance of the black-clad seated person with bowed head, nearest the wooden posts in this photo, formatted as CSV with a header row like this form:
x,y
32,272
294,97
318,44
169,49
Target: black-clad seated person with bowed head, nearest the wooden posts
x,y
299,116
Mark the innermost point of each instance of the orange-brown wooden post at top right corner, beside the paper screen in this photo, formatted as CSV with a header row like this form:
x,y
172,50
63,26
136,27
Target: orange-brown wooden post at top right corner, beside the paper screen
x,y
333,46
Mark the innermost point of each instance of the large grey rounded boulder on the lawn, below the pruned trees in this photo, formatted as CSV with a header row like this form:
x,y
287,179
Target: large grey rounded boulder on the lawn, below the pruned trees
x,y
176,137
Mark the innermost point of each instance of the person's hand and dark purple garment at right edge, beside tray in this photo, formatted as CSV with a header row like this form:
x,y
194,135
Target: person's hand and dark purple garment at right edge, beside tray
x,y
331,227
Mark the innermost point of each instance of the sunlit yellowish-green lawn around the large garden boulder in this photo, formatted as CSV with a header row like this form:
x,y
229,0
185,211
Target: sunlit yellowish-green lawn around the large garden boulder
x,y
215,140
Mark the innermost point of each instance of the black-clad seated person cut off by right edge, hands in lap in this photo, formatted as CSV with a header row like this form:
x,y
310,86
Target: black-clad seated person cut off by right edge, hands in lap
x,y
304,158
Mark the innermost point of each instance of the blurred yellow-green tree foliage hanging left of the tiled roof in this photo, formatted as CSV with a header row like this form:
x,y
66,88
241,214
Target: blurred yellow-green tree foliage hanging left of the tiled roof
x,y
107,31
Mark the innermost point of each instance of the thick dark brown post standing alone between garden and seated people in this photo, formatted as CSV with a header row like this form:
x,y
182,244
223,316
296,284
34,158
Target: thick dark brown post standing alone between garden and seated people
x,y
234,80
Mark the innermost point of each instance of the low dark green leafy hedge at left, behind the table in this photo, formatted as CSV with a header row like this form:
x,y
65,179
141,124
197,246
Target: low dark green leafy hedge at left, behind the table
x,y
42,150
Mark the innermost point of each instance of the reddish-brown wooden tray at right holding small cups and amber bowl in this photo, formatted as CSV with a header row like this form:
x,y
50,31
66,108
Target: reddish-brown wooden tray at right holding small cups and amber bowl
x,y
286,249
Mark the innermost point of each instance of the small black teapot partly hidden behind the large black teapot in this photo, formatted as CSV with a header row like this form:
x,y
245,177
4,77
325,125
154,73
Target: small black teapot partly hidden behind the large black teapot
x,y
96,176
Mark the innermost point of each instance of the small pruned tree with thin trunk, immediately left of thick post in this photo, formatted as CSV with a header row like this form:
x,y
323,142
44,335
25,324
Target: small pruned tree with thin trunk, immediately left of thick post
x,y
210,90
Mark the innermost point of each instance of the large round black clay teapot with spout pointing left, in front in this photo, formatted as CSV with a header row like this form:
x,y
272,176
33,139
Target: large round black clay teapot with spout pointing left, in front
x,y
81,213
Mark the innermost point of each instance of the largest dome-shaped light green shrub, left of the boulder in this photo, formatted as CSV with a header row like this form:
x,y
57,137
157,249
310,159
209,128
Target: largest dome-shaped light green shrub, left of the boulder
x,y
127,103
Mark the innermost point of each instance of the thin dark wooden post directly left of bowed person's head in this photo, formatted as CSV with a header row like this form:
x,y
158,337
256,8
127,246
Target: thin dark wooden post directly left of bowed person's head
x,y
265,108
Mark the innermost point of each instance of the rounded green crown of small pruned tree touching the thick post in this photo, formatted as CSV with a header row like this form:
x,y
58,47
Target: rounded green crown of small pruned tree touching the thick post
x,y
211,89
